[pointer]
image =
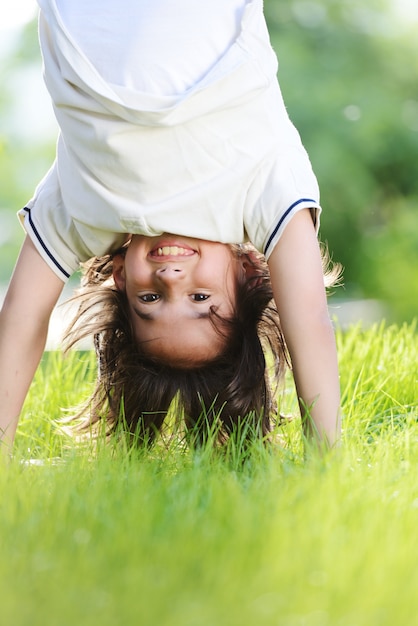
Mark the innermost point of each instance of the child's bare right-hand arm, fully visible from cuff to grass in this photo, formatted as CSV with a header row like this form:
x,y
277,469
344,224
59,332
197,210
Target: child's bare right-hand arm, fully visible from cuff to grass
x,y
297,279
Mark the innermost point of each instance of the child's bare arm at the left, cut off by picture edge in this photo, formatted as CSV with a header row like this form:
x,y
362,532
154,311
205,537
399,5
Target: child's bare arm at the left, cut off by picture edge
x,y
32,294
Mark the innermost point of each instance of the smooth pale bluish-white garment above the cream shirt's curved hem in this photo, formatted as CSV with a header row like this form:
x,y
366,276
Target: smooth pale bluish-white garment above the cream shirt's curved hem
x,y
168,46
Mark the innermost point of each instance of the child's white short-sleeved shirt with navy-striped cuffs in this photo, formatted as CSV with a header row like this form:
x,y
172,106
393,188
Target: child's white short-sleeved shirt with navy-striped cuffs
x,y
209,154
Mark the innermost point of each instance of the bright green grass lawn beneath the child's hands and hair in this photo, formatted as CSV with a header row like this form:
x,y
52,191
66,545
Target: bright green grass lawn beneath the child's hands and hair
x,y
174,538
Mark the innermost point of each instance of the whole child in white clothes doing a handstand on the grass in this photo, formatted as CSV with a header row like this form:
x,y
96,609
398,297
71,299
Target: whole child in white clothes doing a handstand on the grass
x,y
174,145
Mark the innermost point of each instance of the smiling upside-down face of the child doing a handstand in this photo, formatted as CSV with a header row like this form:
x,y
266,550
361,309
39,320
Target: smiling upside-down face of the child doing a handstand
x,y
171,284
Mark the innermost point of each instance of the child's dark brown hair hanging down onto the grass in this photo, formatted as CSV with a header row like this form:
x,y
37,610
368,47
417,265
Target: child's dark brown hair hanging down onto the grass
x,y
235,390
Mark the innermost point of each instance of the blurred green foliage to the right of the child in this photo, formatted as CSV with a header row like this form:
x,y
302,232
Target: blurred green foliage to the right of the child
x,y
349,79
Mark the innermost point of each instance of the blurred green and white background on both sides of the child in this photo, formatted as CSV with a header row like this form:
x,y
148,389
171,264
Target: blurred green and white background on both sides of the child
x,y
348,72
